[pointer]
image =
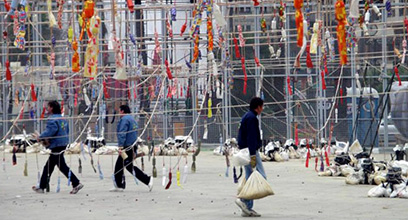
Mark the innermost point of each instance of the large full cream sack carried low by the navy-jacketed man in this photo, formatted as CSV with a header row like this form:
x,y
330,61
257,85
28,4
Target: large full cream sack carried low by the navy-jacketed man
x,y
256,187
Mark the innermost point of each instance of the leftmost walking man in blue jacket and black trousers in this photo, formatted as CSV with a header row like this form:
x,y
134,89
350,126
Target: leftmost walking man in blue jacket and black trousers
x,y
56,136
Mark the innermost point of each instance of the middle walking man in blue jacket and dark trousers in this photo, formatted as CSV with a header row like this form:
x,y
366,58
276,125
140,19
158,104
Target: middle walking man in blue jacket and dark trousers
x,y
127,136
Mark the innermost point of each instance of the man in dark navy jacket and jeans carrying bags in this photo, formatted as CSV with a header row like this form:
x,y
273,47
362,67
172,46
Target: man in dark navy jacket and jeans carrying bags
x,y
249,136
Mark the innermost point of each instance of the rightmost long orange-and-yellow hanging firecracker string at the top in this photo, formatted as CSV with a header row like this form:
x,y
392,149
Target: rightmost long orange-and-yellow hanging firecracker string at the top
x,y
340,12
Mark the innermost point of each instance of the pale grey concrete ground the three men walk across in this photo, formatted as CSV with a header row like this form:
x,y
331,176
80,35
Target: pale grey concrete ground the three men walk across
x,y
207,194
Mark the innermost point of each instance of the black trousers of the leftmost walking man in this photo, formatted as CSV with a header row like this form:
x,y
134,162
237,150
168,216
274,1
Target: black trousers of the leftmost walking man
x,y
58,160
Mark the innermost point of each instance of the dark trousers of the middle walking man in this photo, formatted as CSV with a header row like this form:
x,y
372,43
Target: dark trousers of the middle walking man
x,y
128,163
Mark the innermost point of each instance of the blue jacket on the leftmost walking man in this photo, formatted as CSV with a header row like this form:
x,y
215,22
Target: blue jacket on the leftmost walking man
x,y
56,131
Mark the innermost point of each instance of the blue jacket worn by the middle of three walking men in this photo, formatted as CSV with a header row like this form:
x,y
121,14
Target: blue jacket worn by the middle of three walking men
x,y
126,131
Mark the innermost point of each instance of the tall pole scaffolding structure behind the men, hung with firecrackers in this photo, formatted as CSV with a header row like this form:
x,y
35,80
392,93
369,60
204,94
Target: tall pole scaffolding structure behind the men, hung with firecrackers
x,y
167,106
